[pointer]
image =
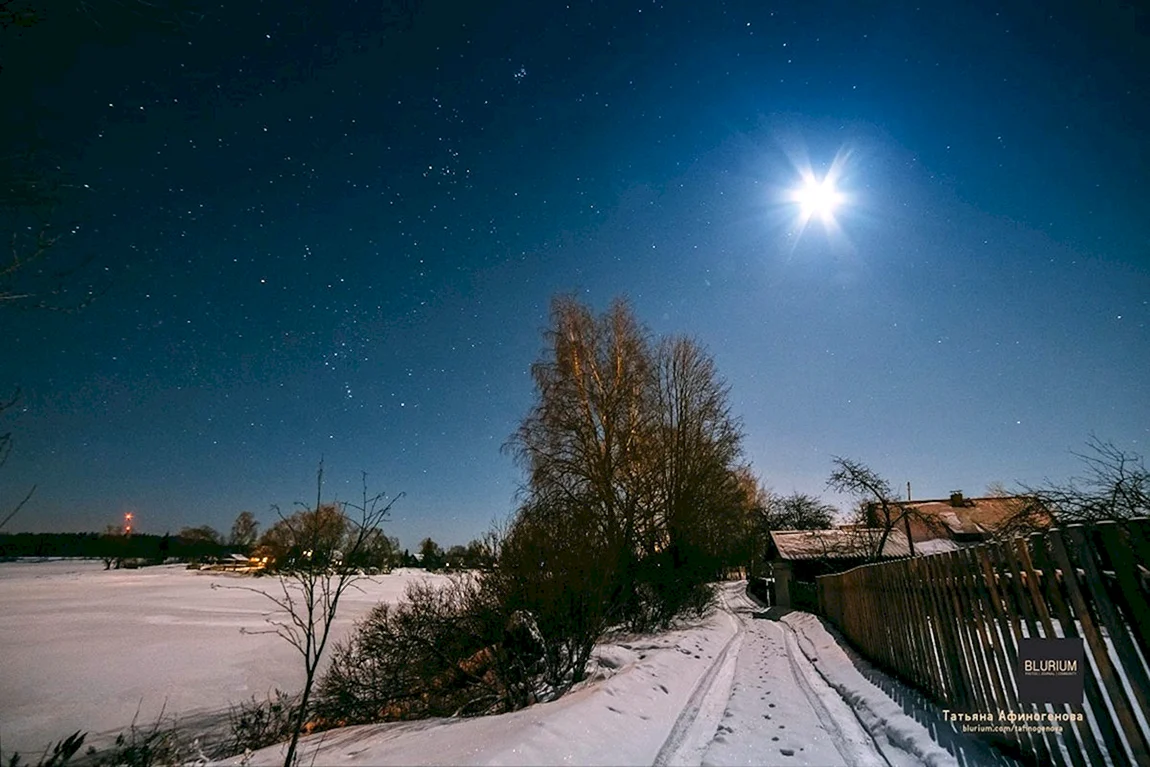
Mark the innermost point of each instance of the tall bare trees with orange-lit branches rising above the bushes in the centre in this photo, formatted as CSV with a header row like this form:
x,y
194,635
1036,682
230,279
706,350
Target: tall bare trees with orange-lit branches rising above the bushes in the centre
x,y
637,441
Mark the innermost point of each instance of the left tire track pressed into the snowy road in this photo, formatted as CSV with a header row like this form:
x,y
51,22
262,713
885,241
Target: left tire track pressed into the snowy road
x,y
697,724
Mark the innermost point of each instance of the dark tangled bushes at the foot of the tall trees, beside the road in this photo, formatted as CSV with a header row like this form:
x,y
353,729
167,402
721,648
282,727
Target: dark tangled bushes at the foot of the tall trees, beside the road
x,y
503,640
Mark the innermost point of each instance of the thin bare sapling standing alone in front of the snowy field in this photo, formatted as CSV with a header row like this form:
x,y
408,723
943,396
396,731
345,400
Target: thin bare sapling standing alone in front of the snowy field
x,y
329,542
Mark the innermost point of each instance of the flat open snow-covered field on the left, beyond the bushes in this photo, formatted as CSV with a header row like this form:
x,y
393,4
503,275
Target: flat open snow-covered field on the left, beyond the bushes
x,y
85,649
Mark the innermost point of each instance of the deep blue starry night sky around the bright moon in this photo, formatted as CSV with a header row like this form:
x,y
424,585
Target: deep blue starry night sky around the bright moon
x,y
334,229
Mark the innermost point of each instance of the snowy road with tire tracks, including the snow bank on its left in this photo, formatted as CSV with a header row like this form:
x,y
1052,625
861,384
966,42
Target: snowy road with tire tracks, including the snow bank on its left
x,y
741,688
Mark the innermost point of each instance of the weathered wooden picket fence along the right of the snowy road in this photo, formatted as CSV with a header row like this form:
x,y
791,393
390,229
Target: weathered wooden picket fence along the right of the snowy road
x,y
950,625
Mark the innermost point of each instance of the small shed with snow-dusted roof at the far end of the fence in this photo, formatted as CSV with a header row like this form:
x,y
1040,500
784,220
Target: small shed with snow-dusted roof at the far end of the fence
x,y
796,557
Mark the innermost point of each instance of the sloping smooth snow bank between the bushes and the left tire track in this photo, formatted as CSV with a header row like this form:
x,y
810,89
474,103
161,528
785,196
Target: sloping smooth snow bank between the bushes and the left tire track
x,y
622,716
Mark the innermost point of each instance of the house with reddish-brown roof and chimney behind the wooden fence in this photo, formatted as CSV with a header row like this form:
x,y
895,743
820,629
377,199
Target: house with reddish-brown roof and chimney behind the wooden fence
x,y
959,521
